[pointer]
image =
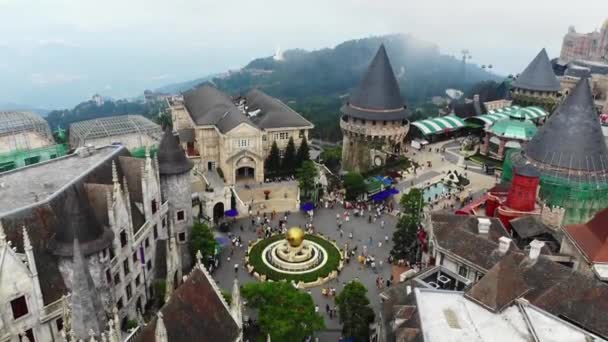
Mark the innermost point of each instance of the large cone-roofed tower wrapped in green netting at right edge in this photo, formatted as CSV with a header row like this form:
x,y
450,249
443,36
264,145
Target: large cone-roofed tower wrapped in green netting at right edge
x,y
571,155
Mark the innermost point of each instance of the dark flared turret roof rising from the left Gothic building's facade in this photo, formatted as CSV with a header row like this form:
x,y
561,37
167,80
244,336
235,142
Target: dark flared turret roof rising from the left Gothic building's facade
x,y
75,217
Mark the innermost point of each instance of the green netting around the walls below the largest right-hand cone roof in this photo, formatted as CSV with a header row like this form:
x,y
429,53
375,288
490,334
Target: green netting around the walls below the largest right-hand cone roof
x,y
581,195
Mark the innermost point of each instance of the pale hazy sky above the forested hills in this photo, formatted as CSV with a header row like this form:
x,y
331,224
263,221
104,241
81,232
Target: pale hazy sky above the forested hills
x,y
57,53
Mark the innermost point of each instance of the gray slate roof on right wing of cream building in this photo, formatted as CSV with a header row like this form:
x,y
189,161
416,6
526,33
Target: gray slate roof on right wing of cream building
x,y
273,112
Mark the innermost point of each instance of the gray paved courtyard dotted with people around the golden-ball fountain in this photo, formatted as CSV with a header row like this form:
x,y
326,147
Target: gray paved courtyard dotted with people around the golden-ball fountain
x,y
325,222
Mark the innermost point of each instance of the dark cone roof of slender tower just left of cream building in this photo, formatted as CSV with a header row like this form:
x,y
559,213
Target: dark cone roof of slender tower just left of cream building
x,y
171,157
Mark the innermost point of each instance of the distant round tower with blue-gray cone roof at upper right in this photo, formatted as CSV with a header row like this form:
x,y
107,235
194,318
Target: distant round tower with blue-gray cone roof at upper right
x,y
537,85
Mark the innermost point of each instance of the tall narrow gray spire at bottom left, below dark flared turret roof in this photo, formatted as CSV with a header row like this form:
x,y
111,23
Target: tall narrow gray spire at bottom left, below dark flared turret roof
x,y
87,312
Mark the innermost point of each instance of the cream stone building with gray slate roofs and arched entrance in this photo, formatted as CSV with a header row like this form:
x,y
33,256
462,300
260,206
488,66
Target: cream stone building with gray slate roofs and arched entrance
x,y
234,135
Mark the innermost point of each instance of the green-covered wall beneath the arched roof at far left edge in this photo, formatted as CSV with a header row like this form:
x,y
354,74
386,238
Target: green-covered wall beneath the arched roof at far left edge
x,y
19,158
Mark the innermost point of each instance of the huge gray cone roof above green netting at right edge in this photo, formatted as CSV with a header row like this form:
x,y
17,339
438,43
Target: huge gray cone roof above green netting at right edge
x,y
572,138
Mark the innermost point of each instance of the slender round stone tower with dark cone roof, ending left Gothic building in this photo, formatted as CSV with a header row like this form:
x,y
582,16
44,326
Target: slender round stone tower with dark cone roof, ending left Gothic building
x,y
176,188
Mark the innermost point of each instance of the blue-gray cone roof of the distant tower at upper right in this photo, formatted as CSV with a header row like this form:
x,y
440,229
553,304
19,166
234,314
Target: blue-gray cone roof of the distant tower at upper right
x,y
538,75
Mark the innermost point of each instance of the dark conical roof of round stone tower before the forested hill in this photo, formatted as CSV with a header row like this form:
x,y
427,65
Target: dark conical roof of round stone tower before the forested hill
x,y
378,96
